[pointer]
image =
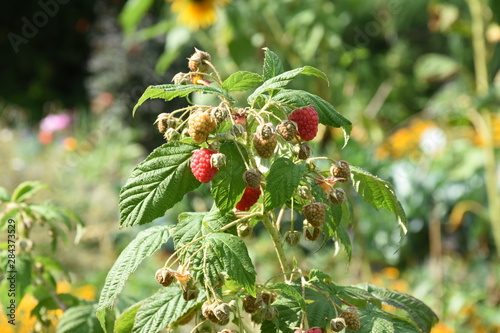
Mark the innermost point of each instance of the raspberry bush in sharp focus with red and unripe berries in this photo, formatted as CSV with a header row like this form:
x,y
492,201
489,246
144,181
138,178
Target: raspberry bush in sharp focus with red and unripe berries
x,y
259,165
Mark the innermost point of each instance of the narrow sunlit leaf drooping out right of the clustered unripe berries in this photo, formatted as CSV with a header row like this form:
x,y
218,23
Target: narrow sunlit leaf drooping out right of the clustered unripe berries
x,y
379,194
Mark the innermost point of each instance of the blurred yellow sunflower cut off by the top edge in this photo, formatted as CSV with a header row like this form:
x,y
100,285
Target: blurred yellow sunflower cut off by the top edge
x,y
196,13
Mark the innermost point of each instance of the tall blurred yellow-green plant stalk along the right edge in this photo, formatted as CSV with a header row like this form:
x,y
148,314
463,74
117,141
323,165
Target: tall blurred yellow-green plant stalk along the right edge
x,y
482,87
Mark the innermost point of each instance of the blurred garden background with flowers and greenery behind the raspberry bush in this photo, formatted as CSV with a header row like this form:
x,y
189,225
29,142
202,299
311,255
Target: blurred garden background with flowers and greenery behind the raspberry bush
x,y
420,81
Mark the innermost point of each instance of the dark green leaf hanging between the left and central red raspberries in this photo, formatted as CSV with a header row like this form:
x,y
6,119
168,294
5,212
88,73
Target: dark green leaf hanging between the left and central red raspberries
x,y
228,185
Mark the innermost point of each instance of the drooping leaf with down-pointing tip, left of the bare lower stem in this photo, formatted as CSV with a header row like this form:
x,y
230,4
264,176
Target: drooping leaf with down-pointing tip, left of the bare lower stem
x,y
227,253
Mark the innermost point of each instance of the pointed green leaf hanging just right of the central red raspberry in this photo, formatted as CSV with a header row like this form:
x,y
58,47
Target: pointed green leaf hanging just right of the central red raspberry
x,y
282,180
